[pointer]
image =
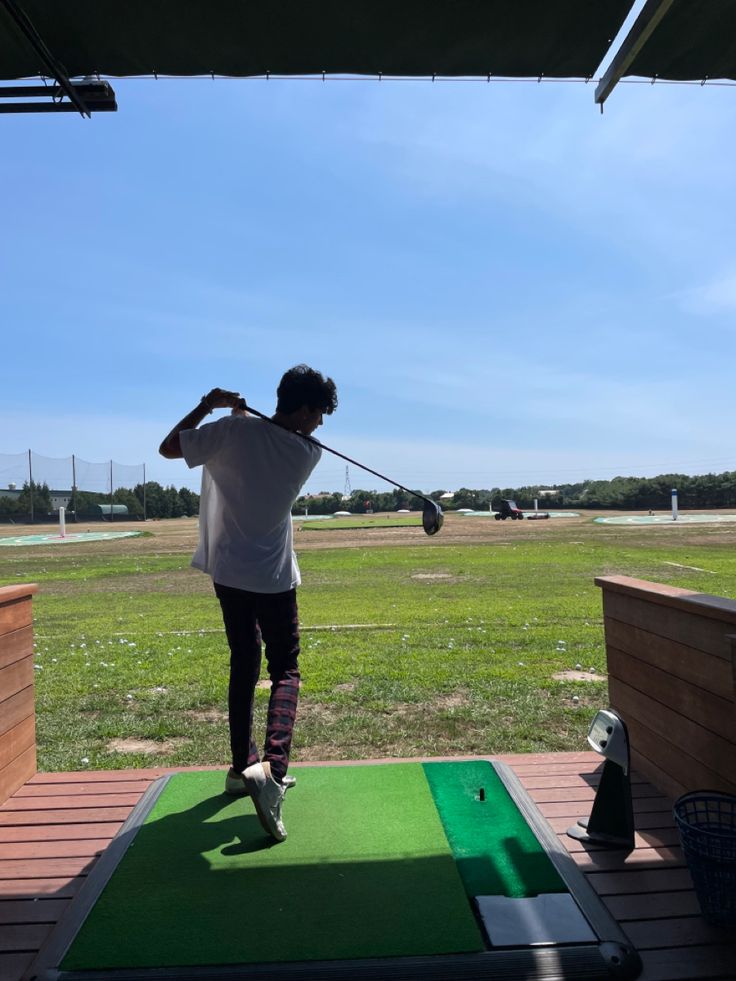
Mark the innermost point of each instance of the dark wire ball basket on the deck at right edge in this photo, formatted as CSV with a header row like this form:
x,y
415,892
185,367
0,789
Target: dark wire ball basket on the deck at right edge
x,y
706,821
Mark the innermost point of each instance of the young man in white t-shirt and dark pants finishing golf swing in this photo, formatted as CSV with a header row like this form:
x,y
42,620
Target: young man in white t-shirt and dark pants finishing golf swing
x,y
252,474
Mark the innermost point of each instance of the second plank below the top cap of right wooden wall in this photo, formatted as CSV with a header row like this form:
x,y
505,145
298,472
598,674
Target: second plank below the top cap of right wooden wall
x,y
692,666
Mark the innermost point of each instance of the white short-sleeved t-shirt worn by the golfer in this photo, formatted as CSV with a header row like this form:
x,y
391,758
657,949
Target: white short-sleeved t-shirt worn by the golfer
x,y
253,472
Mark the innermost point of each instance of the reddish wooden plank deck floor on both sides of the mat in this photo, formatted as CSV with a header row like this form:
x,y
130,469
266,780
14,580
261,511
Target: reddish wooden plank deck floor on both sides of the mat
x,y
54,828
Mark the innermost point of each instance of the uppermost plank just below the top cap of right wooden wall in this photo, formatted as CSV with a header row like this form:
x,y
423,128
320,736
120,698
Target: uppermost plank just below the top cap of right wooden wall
x,y
701,632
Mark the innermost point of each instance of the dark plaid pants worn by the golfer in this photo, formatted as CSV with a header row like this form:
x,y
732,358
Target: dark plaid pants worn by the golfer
x,y
273,617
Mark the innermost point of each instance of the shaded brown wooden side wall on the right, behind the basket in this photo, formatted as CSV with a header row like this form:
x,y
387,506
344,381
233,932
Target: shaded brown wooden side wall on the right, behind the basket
x,y
672,678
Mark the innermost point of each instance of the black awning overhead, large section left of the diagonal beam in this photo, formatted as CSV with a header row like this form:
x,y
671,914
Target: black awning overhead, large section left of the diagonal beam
x,y
513,38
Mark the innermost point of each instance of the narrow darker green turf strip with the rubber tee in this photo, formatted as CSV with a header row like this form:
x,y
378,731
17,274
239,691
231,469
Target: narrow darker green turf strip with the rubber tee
x,y
496,851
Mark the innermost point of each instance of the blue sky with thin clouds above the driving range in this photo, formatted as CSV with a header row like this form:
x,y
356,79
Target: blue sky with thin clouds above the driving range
x,y
506,286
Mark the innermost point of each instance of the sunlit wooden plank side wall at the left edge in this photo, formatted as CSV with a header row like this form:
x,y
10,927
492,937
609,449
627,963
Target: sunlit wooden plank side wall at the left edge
x,y
17,708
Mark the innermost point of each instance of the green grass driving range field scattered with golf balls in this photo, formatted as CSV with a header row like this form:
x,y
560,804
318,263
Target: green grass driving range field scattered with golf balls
x,y
440,646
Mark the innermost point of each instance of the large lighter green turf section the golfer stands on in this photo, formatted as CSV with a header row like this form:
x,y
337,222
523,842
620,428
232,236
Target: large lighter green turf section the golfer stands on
x,y
367,871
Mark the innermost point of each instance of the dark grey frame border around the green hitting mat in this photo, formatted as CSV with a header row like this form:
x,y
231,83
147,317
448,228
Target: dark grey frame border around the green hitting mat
x,y
612,957
